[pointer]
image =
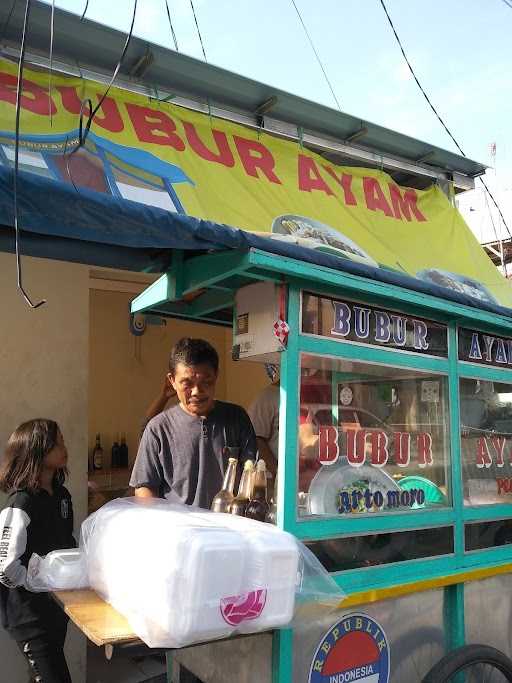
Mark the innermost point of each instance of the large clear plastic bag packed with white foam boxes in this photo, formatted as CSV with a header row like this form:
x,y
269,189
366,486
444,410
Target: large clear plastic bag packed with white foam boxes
x,y
182,575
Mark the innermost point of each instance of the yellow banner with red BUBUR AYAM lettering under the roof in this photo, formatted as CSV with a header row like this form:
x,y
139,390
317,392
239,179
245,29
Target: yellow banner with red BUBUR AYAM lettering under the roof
x,y
162,154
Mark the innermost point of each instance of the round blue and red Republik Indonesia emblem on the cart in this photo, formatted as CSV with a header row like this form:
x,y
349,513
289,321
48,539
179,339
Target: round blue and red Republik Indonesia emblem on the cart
x,y
354,649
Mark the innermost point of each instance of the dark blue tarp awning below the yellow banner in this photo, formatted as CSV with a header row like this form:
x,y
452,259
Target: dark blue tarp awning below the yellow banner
x,y
98,229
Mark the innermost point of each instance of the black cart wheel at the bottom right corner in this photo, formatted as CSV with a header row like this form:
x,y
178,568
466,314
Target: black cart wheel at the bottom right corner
x,y
478,662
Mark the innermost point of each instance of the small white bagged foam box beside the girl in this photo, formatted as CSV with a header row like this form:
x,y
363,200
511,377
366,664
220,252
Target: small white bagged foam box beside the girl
x,y
58,570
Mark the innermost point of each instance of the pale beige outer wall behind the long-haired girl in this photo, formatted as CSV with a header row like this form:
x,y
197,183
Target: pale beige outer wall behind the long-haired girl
x,y
44,371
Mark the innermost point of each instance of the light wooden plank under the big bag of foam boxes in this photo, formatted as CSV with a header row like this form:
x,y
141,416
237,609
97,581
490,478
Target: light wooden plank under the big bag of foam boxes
x,y
98,620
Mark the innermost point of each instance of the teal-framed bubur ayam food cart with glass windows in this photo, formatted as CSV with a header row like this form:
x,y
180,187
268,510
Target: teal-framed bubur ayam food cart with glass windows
x,y
394,467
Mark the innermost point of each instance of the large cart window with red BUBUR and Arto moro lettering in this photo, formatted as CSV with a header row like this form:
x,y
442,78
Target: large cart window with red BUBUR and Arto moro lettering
x,y
372,438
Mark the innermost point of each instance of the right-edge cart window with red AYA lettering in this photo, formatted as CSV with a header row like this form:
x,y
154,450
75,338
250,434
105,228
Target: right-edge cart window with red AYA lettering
x,y
486,441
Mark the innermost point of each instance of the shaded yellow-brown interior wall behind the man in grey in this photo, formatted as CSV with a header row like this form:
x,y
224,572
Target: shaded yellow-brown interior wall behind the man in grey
x,y
126,372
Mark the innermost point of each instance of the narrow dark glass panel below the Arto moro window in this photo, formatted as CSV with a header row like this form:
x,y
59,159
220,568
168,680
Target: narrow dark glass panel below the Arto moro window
x,y
340,554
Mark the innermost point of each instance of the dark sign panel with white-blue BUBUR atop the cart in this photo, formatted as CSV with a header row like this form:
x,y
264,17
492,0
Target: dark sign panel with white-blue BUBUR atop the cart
x,y
349,321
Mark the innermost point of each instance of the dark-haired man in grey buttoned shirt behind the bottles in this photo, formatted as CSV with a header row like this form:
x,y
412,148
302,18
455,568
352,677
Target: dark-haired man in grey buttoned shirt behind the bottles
x,y
184,450
